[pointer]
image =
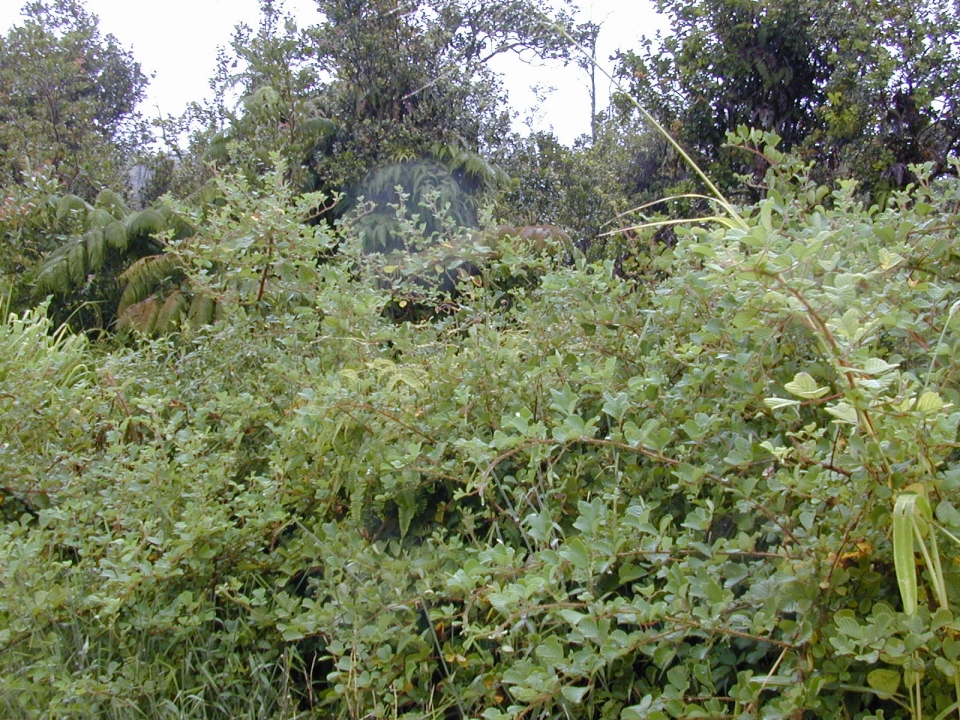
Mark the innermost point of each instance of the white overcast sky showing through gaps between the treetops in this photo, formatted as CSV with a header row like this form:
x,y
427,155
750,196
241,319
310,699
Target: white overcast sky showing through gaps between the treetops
x,y
176,42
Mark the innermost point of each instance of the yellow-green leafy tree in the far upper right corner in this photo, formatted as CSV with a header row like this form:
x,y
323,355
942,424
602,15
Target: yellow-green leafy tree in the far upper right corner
x,y
894,94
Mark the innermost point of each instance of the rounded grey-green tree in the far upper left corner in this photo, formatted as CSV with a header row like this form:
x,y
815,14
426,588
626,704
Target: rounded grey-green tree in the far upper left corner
x,y
68,98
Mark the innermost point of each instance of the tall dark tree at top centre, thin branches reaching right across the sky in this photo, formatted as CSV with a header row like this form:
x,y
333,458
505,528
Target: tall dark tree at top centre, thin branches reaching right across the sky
x,y
410,76
